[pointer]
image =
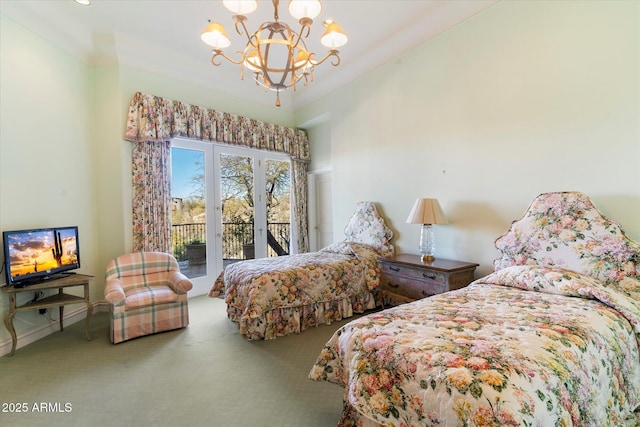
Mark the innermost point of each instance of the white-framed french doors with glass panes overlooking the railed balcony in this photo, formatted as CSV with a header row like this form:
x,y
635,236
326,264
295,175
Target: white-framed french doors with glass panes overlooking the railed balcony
x,y
229,204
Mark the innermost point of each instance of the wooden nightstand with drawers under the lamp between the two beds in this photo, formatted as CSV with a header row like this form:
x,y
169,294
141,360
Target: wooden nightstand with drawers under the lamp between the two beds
x,y
406,278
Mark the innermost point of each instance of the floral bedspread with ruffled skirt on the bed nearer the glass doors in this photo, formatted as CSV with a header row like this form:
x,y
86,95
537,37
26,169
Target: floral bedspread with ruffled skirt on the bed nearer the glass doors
x,y
271,297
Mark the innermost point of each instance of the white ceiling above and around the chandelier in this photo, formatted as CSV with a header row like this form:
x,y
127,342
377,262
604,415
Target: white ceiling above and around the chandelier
x,y
163,36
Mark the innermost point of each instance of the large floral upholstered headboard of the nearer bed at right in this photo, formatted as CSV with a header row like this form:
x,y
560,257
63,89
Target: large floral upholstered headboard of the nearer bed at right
x,y
564,229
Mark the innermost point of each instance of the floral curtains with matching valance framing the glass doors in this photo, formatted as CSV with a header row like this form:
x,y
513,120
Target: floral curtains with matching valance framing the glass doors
x,y
154,119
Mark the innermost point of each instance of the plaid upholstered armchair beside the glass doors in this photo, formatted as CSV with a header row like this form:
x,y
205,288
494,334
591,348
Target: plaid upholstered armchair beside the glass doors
x,y
146,294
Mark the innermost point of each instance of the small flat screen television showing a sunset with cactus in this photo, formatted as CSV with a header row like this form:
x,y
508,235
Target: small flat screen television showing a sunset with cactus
x,y
32,256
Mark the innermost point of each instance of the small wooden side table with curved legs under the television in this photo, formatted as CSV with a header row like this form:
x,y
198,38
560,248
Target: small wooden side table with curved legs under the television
x,y
57,300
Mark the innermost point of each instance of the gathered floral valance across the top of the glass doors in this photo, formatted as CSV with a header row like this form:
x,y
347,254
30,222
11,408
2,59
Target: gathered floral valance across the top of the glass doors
x,y
152,118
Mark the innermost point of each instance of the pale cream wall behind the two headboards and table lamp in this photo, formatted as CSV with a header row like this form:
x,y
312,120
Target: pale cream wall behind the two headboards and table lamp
x,y
524,98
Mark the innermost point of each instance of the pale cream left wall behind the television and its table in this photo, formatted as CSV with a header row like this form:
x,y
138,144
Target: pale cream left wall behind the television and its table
x,y
46,150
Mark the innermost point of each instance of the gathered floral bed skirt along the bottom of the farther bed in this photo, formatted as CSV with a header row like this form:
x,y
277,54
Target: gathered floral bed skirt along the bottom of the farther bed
x,y
288,320
